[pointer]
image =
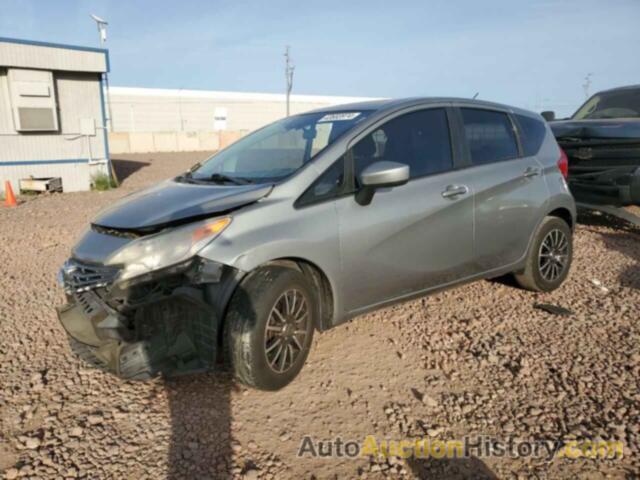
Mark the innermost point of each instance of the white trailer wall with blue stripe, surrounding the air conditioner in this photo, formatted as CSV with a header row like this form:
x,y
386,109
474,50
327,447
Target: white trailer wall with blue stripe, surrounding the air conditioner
x,y
64,153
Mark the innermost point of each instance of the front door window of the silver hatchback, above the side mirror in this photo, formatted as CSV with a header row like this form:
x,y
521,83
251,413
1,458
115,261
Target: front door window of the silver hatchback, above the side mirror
x,y
419,139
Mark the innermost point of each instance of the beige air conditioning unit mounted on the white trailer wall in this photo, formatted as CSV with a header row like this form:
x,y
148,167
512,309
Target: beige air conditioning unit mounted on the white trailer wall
x,y
33,100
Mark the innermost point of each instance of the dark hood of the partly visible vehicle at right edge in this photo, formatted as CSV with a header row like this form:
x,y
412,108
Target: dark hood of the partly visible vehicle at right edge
x,y
611,128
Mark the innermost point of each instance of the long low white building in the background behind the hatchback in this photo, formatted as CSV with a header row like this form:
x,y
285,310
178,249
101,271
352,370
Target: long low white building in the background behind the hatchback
x,y
151,119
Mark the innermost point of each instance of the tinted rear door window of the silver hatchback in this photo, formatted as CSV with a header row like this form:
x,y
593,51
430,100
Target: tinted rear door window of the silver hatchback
x,y
490,136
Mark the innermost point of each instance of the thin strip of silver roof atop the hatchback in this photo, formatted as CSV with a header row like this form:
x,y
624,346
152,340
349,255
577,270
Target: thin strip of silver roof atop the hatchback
x,y
393,104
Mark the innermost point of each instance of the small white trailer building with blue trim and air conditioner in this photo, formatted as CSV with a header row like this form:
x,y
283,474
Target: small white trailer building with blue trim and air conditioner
x,y
52,113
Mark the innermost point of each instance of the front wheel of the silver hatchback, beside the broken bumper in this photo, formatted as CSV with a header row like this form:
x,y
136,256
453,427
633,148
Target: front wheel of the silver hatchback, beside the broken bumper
x,y
251,348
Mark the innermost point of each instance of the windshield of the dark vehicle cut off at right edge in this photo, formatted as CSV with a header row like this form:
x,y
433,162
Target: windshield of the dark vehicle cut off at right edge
x,y
617,104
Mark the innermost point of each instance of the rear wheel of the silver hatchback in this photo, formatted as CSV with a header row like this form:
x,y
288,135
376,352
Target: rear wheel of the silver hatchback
x,y
537,276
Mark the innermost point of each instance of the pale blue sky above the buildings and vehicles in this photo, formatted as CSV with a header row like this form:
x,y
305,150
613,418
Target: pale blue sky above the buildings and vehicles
x,y
533,54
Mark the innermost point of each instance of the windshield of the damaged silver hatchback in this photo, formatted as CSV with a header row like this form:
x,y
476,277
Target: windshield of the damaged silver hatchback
x,y
278,150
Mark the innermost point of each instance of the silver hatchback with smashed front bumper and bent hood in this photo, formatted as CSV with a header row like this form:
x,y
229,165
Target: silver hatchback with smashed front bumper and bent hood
x,y
309,222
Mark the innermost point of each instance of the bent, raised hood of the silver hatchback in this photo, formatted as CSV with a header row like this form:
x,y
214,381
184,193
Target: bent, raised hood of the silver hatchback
x,y
171,202
